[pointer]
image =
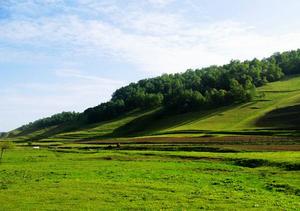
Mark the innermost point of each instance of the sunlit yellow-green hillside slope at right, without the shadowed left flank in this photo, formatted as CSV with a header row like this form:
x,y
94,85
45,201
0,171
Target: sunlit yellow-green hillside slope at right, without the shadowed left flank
x,y
276,95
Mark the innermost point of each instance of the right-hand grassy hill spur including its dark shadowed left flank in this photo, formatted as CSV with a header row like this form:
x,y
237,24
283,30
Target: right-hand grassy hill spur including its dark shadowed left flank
x,y
270,111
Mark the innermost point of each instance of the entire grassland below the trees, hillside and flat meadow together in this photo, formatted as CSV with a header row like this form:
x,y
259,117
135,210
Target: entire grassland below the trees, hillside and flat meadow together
x,y
240,157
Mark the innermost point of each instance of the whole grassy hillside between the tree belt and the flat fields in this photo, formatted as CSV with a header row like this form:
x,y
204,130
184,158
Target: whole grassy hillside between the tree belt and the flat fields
x,y
275,110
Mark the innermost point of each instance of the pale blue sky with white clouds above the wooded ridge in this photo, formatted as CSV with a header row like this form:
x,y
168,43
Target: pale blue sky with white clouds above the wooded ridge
x,y
67,55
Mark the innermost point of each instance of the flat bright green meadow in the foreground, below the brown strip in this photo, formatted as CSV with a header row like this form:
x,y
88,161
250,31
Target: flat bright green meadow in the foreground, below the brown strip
x,y
32,179
